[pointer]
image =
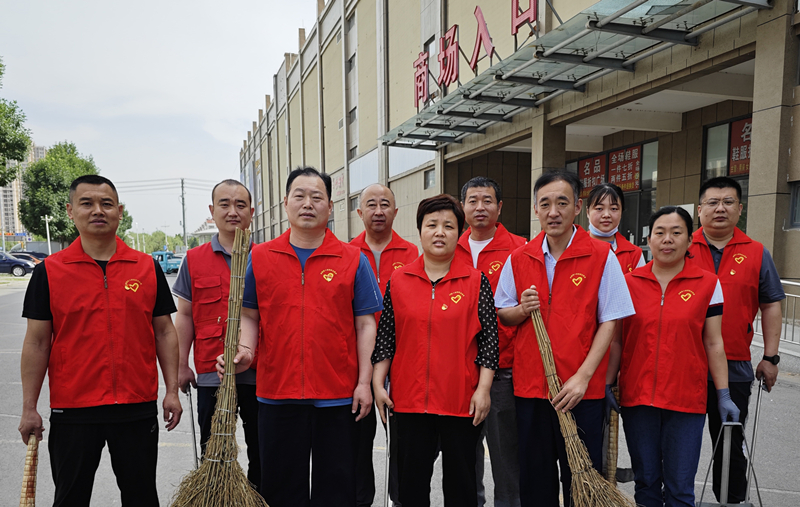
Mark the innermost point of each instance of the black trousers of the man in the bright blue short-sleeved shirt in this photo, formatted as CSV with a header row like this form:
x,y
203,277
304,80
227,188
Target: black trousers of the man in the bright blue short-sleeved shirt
x,y
289,437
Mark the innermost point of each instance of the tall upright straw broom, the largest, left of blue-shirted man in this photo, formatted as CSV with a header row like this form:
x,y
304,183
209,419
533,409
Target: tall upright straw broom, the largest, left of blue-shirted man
x,y
220,480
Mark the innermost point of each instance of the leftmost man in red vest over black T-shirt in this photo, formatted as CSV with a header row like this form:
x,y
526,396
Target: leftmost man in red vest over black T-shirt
x,y
98,317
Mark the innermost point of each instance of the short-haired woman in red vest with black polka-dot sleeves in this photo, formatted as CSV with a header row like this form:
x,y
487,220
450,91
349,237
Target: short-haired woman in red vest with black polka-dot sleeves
x,y
442,357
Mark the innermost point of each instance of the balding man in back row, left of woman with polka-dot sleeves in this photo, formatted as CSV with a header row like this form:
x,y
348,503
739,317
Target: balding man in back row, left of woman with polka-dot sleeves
x,y
386,251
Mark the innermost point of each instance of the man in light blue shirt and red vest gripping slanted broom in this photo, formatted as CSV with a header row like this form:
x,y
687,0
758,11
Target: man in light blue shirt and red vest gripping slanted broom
x,y
583,295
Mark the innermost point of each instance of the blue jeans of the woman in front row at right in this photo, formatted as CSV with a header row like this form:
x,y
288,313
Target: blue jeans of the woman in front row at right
x,y
665,449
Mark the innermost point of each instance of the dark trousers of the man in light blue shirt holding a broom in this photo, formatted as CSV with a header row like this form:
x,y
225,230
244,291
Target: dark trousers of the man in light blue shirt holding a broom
x,y
542,451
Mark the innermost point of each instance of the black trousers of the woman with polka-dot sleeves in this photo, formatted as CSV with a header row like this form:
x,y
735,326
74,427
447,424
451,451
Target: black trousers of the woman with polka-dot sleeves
x,y
418,436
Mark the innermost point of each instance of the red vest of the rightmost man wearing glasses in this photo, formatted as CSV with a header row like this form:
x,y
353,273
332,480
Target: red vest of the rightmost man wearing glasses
x,y
738,275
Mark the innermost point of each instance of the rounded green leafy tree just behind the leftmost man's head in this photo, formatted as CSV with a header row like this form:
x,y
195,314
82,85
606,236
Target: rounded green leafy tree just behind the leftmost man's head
x,y
46,191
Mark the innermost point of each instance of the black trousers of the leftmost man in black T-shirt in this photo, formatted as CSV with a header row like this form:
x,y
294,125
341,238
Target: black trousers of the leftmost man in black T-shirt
x,y
75,451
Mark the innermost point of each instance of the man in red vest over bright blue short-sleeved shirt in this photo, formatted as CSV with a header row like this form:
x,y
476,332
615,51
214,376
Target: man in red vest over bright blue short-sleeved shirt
x,y
314,299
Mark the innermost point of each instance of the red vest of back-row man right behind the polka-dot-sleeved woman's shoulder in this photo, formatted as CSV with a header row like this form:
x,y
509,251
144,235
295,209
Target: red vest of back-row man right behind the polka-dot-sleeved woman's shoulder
x,y
490,262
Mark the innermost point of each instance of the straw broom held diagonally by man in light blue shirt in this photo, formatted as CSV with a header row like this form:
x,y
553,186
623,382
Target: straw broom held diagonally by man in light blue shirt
x,y
589,489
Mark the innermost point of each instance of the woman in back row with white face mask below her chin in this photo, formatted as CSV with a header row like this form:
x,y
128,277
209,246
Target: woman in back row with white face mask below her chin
x,y
604,210
